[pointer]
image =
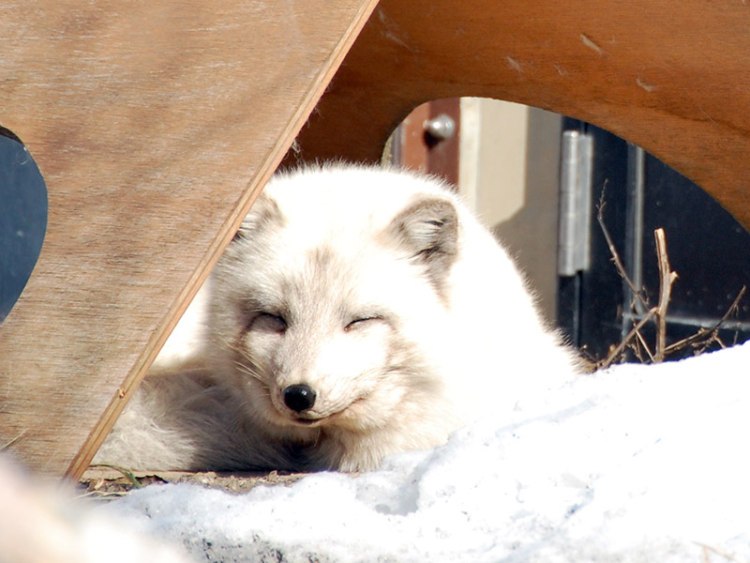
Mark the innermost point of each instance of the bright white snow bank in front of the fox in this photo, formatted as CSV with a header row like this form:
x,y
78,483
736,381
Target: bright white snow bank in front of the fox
x,y
636,463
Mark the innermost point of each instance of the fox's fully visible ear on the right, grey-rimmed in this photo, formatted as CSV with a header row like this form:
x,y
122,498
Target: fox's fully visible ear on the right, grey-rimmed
x,y
429,230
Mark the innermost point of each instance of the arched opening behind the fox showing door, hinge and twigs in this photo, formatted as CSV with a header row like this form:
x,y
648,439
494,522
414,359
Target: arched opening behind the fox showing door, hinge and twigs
x,y
512,164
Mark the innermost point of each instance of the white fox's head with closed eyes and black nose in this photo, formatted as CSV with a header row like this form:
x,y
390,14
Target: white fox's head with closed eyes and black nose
x,y
330,305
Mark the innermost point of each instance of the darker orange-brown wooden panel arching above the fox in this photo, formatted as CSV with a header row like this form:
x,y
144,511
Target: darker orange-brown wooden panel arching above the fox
x,y
673,77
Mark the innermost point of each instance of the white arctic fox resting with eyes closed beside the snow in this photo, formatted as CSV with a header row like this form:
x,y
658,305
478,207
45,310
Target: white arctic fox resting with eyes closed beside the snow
x,y
359,312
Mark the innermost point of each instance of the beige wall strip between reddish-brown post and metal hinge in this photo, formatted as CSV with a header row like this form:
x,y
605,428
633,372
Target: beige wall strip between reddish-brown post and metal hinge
x,y
509,173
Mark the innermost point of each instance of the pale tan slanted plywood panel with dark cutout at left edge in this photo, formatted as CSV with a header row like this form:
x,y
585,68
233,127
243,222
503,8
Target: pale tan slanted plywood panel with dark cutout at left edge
x,y
154,124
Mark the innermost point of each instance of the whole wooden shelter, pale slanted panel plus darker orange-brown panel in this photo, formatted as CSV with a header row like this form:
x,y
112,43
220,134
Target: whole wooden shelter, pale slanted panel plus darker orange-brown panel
x,y
156,125
